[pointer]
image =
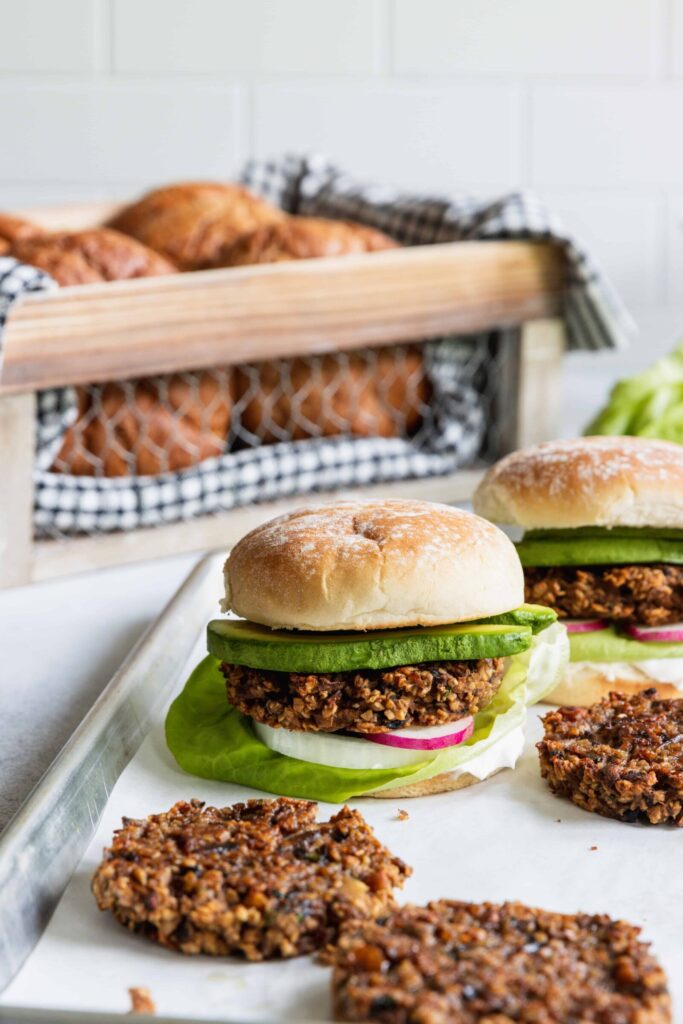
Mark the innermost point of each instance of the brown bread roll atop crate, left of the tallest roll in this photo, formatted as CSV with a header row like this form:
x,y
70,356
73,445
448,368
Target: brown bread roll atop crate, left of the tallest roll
x,y
87,258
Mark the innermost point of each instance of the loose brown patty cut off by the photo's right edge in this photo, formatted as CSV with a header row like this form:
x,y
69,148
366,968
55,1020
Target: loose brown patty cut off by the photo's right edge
x,y
623,757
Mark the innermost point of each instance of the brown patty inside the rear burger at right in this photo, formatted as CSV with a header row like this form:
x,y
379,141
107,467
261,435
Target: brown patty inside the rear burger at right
x,y
652,595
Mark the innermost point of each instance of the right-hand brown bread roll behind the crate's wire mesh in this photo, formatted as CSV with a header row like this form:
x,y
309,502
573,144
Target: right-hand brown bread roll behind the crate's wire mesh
x,y
325,398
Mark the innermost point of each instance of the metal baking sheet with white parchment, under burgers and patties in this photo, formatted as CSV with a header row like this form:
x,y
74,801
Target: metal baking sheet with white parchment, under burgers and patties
x,y
505,839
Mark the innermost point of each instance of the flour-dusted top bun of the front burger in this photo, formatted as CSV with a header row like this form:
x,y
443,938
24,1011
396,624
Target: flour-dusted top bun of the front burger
x,y
363,566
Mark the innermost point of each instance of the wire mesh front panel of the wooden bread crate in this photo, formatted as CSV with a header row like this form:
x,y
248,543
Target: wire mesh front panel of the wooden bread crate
x,y
140,453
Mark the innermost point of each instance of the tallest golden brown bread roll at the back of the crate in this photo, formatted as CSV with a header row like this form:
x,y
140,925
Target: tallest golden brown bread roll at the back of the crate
x,y
190,224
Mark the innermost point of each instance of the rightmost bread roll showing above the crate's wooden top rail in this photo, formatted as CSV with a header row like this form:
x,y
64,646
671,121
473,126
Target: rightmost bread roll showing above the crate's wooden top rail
x,y
303,238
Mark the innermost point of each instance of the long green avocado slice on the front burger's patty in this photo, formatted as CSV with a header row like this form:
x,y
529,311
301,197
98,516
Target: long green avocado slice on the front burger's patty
x,y
242,643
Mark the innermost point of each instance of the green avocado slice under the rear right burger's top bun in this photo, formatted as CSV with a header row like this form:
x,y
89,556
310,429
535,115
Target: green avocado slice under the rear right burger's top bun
x,y
596,546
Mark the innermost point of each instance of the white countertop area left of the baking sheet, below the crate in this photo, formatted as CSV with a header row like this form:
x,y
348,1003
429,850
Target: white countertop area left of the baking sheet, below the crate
x,y
62,643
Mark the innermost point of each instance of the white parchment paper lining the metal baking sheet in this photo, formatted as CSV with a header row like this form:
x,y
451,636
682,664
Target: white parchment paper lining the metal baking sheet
x,y
505,839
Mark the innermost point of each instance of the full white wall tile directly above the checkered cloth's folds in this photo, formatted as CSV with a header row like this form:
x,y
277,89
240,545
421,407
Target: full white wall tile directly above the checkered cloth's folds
x,y
399,134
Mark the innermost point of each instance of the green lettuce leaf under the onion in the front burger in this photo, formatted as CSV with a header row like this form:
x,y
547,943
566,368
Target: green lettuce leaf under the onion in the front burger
x,y
210,739
